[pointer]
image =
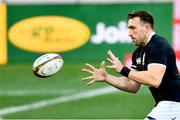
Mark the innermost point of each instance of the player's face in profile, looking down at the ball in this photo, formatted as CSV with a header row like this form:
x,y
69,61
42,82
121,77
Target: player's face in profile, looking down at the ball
x,y
137,31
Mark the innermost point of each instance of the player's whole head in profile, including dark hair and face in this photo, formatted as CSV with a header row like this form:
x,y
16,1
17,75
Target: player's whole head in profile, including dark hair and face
x,y
140,23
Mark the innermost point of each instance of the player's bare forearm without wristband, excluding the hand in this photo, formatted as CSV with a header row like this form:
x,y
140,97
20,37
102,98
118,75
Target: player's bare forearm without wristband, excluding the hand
x,y
122,83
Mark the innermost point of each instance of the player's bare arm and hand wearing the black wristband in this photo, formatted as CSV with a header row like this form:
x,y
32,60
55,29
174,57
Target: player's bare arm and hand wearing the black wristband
x,y
152,77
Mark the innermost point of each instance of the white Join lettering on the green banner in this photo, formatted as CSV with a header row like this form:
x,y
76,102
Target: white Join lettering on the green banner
x,y
111,34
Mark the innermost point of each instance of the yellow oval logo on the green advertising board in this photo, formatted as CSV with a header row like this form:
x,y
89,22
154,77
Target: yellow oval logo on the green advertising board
x,y
49,34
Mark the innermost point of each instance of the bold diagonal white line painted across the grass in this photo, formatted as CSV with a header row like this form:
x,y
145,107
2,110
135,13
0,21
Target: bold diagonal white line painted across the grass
x,y
62,99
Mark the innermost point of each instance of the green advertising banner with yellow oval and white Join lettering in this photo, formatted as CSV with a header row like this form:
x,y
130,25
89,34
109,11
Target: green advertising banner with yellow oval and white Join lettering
x,y
107,26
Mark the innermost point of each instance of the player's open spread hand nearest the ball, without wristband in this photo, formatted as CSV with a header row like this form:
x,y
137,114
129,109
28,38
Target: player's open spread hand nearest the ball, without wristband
x,y
98,75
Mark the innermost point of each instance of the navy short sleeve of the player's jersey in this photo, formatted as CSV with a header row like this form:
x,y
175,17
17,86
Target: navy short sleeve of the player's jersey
x,y
157,54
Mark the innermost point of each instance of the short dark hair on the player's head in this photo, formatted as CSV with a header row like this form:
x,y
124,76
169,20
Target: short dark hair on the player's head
x,y
144,16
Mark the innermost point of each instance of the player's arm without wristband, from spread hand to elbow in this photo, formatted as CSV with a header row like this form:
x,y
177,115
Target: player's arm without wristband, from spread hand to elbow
x,y
100,75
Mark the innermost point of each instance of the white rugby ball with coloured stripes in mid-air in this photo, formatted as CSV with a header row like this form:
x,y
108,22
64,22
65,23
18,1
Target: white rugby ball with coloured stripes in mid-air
x,y
47,65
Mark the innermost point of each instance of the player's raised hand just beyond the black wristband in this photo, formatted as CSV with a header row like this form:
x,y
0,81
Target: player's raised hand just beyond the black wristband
x,y
116,63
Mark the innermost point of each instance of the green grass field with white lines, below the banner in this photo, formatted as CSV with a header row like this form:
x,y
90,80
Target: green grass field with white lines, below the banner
x,y
65,95
